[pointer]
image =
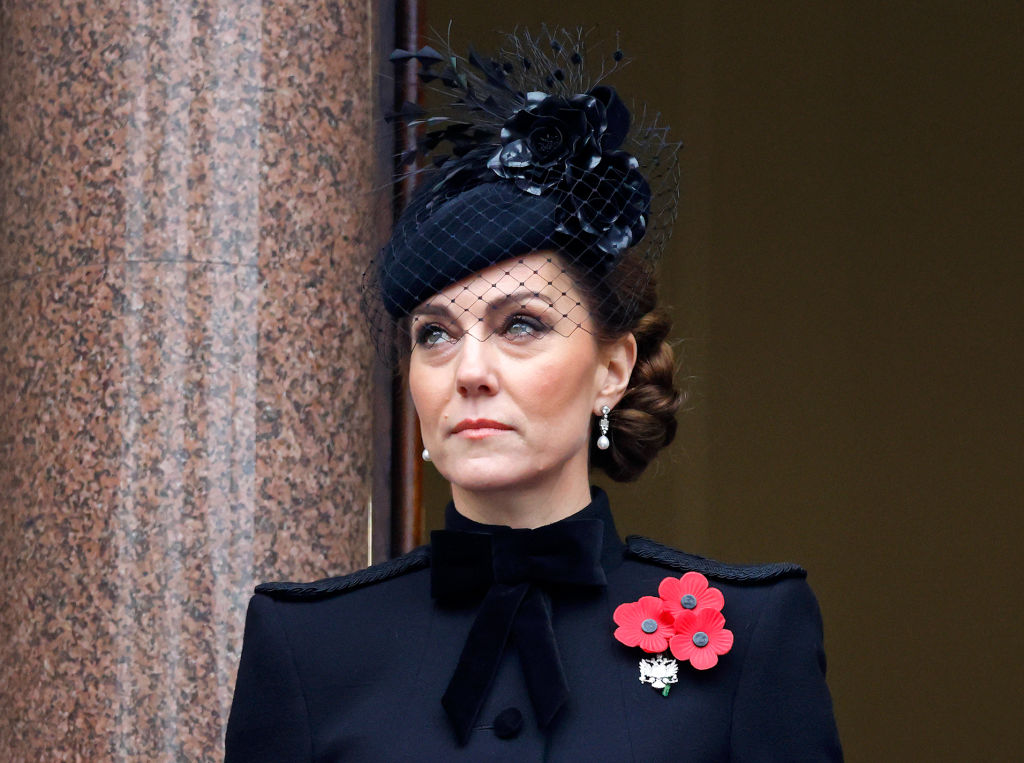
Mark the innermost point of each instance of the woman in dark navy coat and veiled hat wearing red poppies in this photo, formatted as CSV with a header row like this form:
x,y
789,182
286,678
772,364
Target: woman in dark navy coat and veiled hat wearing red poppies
x,y
521,278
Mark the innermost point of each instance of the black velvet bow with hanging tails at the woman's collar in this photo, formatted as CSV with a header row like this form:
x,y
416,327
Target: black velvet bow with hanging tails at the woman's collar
x,y
510,570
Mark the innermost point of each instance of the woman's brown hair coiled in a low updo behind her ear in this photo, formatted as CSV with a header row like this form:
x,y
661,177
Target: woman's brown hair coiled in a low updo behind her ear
x,y
645,420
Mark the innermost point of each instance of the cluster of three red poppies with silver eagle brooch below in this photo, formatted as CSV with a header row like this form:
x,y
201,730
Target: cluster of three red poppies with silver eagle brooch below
x,y
686,618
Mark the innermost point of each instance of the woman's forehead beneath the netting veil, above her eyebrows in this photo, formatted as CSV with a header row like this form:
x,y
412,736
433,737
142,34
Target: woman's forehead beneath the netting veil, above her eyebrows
x,y
541,275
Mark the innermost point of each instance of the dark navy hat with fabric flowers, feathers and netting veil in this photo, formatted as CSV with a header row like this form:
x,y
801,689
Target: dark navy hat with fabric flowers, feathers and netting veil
x,y
532,150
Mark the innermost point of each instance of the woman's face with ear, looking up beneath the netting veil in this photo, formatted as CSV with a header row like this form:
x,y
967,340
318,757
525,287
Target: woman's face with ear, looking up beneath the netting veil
x,y
506,374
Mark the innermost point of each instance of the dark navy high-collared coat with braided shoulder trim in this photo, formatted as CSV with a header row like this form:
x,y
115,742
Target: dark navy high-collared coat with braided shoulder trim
x,y
354,668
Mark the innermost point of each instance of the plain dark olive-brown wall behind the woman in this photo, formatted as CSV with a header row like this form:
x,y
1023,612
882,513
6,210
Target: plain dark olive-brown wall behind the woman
x,y
845,277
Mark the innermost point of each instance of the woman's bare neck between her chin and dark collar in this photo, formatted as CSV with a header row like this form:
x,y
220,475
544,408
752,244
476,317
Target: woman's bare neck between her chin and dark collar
x,y
524,506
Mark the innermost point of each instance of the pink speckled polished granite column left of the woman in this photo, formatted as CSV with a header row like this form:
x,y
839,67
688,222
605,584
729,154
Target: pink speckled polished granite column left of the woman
x,y
188,201
